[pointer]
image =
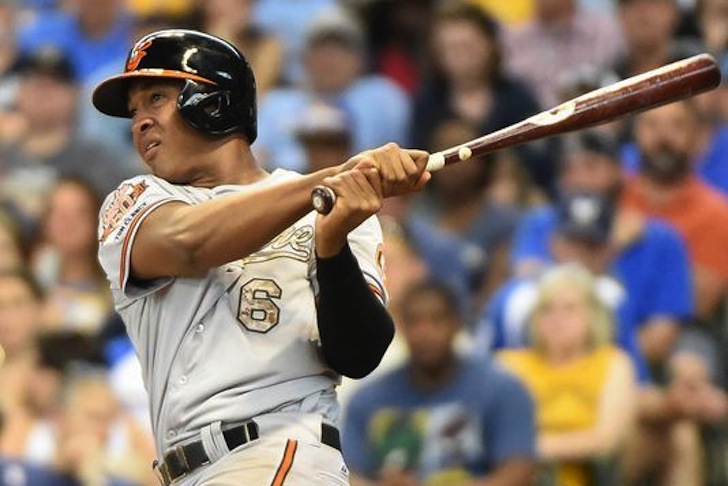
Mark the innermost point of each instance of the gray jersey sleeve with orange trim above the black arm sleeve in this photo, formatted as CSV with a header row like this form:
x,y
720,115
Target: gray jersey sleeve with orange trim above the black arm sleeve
x,y
366,244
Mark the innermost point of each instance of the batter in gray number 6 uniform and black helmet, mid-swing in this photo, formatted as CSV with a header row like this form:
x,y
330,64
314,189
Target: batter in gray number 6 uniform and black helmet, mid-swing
x,y
244,306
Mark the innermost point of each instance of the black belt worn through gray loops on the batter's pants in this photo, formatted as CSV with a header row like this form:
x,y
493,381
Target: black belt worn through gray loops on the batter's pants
x,y
183,459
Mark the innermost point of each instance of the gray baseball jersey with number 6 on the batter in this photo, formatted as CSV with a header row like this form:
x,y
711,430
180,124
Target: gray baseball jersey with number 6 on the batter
x,y
240,341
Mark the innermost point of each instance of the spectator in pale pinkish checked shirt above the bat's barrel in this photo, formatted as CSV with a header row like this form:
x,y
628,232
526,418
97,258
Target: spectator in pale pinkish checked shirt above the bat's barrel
x,y
562,37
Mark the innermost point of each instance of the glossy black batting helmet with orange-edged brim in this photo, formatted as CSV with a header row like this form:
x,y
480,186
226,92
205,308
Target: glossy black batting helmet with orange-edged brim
x,y
218,96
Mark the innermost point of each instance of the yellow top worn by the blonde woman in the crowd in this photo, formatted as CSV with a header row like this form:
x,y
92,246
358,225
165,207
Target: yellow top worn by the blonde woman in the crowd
x,y
566,397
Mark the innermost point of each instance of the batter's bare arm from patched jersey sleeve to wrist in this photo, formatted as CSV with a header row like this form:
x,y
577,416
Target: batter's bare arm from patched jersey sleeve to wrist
x,y
229,228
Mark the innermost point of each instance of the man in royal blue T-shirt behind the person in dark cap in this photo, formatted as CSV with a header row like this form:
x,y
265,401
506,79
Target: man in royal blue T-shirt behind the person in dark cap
x,y
649,257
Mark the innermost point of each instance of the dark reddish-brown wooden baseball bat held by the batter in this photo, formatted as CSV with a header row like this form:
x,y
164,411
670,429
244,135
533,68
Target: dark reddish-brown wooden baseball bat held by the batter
x,y
666,84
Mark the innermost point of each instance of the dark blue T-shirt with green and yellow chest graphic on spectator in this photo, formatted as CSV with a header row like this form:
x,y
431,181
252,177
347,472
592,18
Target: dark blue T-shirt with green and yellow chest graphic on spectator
x,y
478,419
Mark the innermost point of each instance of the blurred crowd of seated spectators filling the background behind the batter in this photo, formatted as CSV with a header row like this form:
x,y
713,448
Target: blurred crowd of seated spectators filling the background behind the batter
x,y
561,306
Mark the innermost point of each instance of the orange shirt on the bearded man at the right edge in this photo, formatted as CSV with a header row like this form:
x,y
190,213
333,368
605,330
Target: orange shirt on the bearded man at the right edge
x,y
698,212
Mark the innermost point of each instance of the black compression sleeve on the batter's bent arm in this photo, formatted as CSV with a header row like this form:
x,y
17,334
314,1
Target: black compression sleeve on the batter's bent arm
x,y
354,326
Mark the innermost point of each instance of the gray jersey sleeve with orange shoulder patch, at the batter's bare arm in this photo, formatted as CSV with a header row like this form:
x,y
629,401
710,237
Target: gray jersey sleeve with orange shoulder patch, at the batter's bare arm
x,y
120,217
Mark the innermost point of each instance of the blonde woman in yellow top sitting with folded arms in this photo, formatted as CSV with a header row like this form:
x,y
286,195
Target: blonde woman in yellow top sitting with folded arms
x,y
584,387
